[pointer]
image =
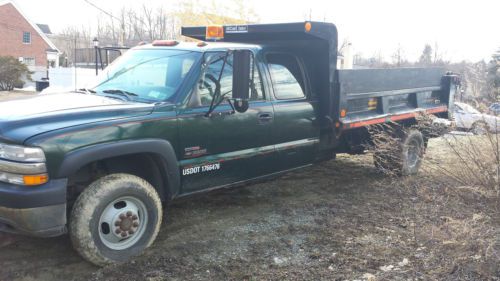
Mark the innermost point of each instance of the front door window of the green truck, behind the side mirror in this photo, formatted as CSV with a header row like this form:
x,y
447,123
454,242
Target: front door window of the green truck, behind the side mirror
x,y
207,84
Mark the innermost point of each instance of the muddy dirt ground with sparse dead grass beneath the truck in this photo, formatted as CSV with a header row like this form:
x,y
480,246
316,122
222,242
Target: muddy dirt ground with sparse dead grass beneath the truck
x,y
339,220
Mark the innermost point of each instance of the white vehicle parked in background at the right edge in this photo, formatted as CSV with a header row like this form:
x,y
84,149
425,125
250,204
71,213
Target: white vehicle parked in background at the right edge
x,y
470,119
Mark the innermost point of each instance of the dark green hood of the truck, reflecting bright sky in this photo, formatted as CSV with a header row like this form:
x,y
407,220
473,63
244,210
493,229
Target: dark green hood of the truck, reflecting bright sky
x,y
21,119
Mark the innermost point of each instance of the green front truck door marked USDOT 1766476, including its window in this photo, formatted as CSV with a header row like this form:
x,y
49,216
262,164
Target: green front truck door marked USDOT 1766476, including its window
x,y
225,147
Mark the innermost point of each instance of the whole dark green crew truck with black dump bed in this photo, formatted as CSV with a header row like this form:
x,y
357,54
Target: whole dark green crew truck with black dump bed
x,y
171,119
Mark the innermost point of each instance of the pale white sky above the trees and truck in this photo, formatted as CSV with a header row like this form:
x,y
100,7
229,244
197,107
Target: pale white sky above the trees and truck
x,y
462,30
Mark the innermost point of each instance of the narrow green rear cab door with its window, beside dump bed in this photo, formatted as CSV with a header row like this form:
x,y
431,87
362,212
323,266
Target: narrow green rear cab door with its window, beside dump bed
x,y
294,132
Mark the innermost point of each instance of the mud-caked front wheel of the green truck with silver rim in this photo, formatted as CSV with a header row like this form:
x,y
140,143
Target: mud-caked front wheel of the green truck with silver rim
x,y
115,218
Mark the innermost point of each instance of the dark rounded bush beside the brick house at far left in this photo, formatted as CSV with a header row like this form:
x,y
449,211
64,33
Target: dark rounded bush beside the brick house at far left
x,y
11,72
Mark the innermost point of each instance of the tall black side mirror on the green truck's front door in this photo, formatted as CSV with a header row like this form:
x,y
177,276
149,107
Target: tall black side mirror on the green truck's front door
x,y
241,79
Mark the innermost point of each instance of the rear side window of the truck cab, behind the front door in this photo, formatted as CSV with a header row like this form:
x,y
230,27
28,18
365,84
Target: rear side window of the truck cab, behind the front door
x,y
286,75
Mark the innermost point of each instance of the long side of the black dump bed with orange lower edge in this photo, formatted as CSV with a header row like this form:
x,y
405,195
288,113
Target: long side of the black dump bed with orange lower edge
x,y
372,96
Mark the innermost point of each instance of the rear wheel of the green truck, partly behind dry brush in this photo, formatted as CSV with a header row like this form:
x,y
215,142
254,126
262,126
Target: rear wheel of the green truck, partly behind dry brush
x,y
405,158
